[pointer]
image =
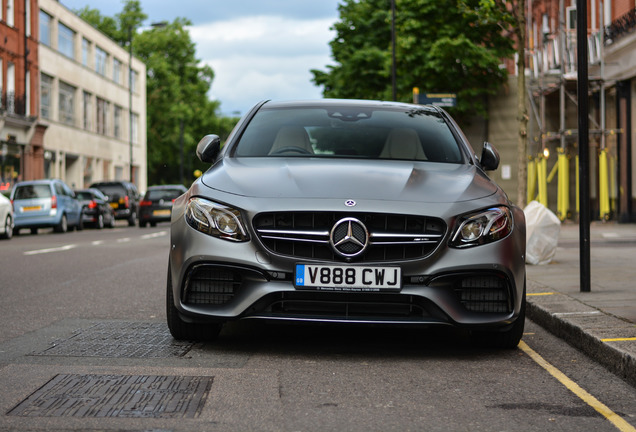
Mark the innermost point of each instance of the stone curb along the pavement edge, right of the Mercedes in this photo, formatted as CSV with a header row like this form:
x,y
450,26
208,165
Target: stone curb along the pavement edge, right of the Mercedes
x,y
617,360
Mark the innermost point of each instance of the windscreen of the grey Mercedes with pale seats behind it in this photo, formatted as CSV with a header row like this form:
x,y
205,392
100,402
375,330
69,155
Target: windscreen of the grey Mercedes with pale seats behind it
x,y
350,132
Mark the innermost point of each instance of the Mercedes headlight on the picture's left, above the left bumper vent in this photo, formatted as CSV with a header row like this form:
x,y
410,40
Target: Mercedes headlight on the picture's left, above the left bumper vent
x,y
215,219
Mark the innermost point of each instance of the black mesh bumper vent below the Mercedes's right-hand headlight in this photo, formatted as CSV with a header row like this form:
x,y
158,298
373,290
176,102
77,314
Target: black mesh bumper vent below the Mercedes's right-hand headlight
x,y
485,294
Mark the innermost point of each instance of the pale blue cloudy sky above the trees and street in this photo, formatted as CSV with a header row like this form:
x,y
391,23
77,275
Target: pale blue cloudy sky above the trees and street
x,y
258,49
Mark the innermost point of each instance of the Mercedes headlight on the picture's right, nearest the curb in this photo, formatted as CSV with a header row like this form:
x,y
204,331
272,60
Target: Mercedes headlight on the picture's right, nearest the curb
x,y
484,227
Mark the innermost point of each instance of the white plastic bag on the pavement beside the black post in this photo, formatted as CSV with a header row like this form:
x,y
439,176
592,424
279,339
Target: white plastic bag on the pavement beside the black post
x,y
542,233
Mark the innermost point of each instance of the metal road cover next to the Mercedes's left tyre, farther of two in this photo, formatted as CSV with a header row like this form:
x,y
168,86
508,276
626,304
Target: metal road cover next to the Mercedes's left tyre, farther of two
x,y
120,339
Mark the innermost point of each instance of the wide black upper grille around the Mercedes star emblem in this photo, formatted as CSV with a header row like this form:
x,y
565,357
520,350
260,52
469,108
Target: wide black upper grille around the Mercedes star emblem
x,y
392,237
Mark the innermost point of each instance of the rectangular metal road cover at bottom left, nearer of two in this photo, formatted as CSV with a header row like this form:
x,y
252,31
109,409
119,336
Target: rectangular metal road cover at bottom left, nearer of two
x,y
127,396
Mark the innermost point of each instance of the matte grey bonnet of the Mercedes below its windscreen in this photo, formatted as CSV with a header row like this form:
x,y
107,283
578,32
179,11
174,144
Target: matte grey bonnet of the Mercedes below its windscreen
x,y
349,179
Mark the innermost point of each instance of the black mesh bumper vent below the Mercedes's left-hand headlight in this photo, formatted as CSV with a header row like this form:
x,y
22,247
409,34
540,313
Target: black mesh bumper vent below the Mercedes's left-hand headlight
x,y
210,285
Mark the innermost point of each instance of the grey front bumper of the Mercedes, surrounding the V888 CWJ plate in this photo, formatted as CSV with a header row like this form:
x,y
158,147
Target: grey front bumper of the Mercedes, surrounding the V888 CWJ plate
x,y
478,287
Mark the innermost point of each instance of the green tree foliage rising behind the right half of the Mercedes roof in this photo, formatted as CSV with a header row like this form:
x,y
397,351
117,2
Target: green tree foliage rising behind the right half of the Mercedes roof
x,y
453,46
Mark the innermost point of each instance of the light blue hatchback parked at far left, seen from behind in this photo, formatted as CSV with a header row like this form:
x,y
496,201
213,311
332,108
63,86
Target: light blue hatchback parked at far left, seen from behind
x,y
45,203
